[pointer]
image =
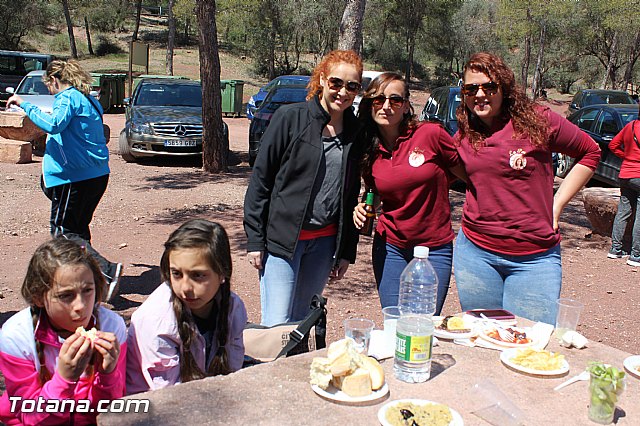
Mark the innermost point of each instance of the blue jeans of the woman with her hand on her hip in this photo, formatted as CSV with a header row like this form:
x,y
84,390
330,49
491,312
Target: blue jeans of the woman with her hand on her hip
x,y
527,286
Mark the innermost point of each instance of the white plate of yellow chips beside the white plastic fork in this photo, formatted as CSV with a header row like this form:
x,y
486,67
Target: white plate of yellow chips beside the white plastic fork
x,y
537,362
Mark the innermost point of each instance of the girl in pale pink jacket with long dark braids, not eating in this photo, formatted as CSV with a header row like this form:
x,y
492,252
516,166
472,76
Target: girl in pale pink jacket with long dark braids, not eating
x,y
191,326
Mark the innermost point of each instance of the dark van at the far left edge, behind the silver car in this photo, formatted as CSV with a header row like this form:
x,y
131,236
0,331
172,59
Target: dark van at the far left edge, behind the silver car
x,y
15,65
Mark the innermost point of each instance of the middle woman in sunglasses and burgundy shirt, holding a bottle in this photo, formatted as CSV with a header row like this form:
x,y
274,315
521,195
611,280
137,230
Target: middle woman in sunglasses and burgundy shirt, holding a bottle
x,y
406,165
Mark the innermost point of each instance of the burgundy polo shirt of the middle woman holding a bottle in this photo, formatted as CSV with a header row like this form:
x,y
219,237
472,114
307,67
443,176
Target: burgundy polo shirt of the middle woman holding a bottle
x,y
415,198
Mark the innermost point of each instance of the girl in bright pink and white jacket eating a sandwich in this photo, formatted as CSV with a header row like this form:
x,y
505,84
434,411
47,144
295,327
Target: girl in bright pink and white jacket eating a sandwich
x,y
55,373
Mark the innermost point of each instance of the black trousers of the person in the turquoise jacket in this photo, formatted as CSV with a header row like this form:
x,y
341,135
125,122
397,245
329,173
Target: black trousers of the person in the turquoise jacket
x,y
72,207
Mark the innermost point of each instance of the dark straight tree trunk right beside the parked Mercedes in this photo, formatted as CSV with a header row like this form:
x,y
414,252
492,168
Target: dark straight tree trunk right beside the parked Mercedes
x,y
215,146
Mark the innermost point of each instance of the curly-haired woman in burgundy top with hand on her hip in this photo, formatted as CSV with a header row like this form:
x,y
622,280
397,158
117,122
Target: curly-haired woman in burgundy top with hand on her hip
x,y
507,253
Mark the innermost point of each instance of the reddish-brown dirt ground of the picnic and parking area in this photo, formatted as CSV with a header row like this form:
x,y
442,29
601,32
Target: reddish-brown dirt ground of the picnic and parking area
x,y
146,201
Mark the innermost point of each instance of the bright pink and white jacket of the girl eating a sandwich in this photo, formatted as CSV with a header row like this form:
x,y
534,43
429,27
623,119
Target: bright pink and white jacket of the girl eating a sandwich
x,y
20,365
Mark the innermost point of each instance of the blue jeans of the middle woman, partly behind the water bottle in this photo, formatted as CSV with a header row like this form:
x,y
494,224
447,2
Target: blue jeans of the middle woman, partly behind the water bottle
x,y
389,261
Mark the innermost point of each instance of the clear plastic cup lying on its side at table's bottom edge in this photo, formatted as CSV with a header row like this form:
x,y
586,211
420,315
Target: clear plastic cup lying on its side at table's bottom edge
x,y
493,406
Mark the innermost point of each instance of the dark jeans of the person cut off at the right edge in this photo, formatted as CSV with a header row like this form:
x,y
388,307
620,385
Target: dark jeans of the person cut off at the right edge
x,y
629,201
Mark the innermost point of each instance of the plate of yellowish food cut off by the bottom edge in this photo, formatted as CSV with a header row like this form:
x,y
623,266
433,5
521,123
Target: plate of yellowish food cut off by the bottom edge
x,y
425,412
